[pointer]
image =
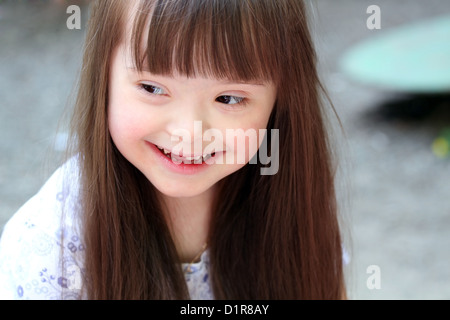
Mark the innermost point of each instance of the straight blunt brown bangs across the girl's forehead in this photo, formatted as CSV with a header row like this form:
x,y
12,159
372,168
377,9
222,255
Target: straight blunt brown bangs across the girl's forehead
x,y
232,39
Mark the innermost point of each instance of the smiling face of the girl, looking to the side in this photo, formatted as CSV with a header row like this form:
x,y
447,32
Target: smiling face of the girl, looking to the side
x,y
200,121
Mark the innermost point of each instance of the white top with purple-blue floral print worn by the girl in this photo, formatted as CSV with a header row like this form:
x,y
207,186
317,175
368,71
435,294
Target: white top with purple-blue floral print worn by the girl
x,y
31,258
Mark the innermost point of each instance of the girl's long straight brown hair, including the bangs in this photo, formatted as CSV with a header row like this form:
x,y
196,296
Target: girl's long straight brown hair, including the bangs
x,y
271,236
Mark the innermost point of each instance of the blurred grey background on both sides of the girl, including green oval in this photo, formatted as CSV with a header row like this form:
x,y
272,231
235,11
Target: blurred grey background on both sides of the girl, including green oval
x,y
395,166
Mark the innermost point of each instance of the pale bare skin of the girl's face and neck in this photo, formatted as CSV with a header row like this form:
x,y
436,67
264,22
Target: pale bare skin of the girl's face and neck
x,y
146,109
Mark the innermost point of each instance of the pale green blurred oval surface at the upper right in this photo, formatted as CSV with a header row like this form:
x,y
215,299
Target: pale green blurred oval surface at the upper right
x,y
412,58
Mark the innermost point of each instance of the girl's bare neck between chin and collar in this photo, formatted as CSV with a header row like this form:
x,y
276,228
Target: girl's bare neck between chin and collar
x,y
188,219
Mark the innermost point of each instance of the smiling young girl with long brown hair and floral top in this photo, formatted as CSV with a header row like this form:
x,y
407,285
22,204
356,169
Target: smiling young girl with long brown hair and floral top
x,y
123,220
